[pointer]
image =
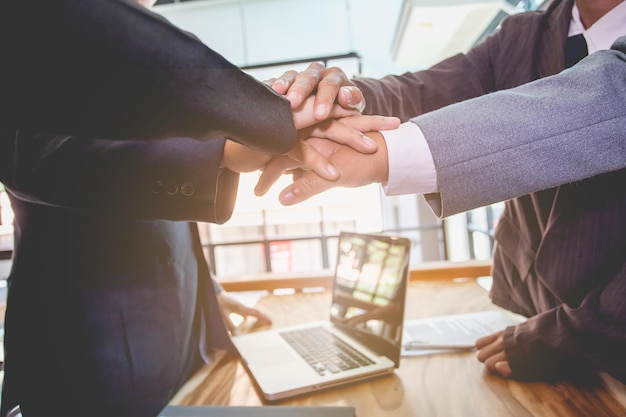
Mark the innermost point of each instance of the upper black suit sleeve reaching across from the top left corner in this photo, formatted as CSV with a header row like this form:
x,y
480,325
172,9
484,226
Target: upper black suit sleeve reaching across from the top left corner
x,y
111,69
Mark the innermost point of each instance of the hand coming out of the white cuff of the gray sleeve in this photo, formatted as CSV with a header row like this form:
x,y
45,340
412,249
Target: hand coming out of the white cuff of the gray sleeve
x,y
355,169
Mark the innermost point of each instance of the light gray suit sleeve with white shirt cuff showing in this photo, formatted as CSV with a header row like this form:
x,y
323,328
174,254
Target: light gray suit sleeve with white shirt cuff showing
x,y
553,131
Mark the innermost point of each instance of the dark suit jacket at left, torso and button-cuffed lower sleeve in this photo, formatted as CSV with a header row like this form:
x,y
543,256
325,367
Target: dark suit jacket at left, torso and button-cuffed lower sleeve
x,y
107,306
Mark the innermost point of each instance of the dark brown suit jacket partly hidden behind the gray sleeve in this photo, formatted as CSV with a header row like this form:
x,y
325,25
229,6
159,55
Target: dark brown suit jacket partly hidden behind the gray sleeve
x,y
559,255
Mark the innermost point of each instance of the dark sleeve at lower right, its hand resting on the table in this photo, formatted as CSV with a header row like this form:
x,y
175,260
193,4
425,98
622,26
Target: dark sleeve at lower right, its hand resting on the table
x,y
560,341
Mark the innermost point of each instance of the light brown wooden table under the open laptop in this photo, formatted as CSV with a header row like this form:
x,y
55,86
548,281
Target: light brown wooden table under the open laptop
x,y
447,385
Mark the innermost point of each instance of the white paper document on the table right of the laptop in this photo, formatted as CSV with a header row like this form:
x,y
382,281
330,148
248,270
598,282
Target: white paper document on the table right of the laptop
x,y
452,333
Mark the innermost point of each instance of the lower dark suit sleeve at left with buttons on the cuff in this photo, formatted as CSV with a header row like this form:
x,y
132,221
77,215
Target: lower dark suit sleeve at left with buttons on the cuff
x,y
172,179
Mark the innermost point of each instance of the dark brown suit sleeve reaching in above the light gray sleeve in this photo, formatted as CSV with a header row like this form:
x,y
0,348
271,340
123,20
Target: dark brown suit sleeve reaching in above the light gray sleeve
x,y
489,66
